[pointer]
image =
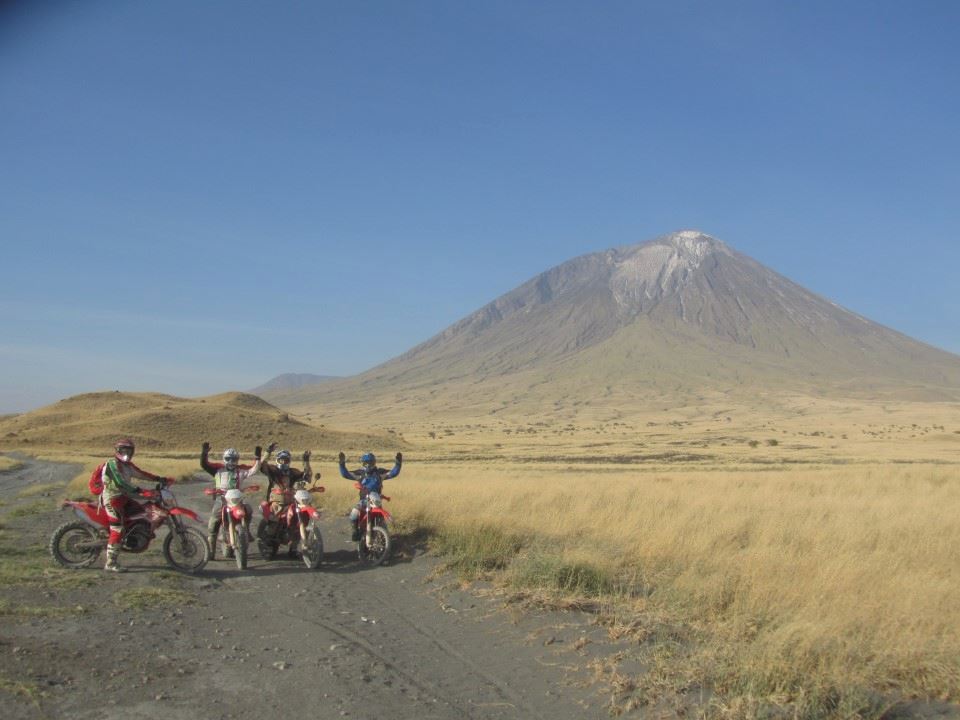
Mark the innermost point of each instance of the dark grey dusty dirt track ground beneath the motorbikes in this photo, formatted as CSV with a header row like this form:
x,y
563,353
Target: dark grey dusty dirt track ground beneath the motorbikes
x,y
344,641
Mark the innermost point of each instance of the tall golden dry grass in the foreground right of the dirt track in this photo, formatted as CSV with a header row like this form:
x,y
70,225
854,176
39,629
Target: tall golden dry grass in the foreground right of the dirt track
x,y
825,590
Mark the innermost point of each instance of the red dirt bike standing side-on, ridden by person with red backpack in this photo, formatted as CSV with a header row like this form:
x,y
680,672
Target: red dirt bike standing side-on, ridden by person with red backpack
x,y
78,544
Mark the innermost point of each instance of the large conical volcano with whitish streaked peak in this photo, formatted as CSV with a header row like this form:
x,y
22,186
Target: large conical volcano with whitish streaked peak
x,y
681,313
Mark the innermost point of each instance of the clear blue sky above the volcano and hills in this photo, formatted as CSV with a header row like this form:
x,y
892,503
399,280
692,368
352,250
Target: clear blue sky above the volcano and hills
x,y
197,196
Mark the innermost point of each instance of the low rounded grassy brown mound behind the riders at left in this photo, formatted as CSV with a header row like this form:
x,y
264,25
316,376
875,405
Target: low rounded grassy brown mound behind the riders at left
x,y
93,421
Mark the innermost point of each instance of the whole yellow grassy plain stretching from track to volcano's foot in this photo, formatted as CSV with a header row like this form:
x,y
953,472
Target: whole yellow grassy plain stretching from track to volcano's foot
x,y
744,563
